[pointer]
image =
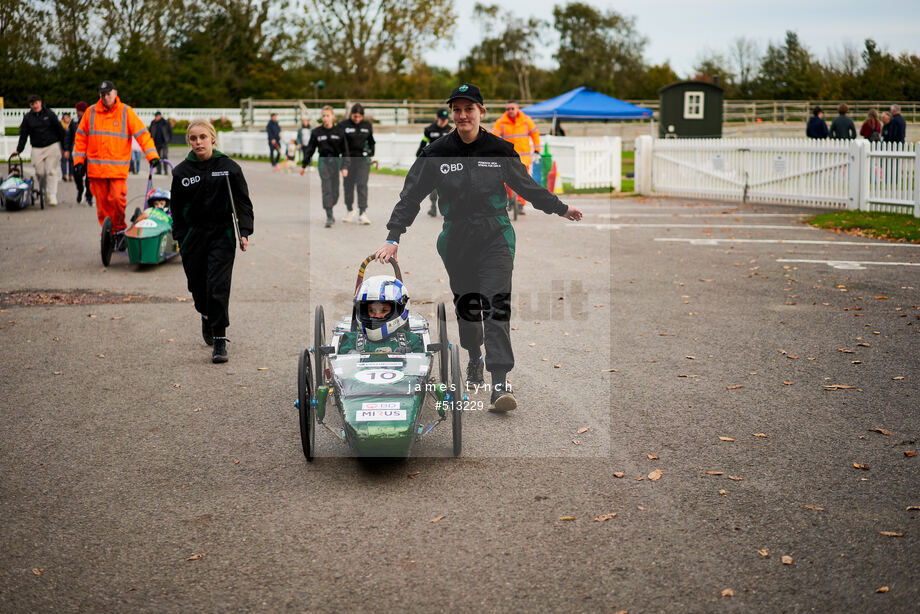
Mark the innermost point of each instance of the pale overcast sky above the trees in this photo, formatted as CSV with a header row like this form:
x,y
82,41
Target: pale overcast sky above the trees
x,y
680,30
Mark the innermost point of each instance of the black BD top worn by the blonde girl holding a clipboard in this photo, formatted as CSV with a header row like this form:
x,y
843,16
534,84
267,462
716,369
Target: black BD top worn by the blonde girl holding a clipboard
x,y
199,195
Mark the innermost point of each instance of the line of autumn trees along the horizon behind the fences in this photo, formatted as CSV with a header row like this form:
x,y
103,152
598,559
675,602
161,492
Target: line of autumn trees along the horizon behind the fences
x,y
188,53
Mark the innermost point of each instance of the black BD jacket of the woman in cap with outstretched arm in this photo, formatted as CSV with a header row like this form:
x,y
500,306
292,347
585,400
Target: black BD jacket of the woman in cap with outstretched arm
x,y
470,180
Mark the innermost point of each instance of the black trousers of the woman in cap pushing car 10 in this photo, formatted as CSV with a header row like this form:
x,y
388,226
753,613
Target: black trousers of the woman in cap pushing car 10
x,y
479,258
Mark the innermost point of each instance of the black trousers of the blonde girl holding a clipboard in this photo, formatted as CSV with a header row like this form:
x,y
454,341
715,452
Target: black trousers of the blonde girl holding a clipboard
x,y
207,257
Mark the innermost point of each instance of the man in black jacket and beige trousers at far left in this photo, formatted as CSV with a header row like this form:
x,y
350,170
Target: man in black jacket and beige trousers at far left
x,y
42,127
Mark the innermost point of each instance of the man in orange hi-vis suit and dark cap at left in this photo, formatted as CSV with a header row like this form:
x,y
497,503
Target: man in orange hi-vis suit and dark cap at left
x,y
103,144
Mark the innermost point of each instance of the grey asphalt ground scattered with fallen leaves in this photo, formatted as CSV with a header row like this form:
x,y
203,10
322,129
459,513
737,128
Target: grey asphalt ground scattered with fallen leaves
x,y
124,452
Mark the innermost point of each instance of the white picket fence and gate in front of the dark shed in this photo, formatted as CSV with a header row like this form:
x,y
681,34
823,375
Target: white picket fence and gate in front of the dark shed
x,y
843,174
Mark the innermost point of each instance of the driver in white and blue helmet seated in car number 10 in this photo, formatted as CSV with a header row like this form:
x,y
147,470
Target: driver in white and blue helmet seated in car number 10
x,y
381,312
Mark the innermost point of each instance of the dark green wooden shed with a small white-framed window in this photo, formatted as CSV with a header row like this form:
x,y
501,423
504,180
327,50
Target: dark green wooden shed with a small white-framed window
x,y
690,109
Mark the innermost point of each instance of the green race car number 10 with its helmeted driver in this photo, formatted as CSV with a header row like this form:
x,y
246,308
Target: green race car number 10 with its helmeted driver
x,y
379,381
